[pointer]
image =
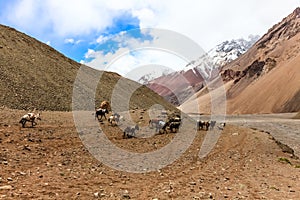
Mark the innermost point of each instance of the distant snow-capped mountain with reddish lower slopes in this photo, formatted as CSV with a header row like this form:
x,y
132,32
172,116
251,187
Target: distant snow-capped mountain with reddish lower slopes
x,y
178,86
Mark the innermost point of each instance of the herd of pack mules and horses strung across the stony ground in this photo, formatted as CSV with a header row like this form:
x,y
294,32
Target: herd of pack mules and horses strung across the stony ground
x,y
172,122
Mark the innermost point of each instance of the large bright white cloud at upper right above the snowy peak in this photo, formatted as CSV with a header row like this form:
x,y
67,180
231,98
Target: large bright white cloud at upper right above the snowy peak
x,y
211,22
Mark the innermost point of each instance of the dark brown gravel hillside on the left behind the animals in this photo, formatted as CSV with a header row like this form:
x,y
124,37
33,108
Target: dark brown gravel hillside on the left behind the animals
x,y
34,75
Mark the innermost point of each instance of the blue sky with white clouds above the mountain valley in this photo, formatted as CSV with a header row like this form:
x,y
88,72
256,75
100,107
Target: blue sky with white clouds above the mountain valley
x,y
85,29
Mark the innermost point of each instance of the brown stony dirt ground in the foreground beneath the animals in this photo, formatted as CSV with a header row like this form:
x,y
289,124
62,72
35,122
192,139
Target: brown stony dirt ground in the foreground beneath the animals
x,y
51,162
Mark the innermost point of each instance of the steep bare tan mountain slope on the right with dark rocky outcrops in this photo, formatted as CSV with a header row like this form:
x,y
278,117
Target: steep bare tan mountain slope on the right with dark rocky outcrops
x,y
266,79
